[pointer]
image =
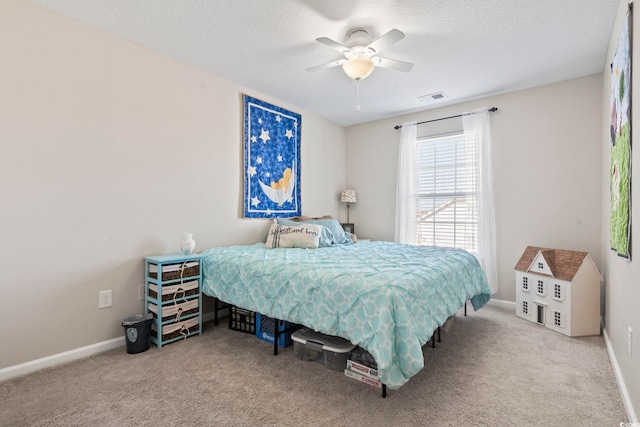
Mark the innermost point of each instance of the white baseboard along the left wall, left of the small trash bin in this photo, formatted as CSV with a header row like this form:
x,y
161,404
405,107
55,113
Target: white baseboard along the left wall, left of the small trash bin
x,y
59,359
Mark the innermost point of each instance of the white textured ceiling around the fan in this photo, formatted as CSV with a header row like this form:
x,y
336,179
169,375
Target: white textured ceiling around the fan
x,y
465,48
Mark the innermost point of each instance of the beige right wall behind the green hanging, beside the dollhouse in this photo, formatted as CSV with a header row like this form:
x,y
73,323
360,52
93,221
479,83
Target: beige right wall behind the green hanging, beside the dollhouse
x,y
622,278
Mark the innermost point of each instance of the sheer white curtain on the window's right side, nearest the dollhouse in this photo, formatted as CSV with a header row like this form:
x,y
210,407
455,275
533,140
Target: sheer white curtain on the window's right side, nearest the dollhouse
x,y
477,128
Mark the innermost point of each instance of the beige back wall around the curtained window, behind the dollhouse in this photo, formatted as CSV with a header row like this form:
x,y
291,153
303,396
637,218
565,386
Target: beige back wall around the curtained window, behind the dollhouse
x,y
547,170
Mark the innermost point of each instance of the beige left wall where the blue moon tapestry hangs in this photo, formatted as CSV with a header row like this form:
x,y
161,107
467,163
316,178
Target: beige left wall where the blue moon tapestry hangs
x,y
109,153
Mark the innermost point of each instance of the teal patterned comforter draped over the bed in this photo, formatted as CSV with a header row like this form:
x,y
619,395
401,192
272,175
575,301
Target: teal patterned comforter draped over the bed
x,y
388,298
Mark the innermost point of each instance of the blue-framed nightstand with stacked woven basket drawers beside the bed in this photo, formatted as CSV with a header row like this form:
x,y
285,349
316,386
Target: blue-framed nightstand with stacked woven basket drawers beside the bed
x,y
173,294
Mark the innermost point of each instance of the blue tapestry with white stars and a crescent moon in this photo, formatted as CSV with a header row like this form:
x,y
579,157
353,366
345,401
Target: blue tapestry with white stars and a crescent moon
x,y
271,160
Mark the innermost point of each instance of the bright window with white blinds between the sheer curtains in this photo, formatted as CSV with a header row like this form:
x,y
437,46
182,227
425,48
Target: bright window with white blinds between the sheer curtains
x,y
447,210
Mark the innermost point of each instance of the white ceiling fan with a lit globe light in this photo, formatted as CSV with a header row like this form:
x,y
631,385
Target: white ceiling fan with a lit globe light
x,y
360,58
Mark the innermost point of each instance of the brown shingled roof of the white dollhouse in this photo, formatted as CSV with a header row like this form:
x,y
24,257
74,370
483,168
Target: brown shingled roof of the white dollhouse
x,y
563,264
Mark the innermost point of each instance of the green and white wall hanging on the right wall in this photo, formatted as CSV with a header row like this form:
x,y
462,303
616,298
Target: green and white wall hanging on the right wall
x,y
620,170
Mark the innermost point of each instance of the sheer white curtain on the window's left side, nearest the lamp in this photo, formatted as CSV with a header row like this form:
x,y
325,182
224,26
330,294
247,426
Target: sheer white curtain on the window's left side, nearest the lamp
x,y
407,185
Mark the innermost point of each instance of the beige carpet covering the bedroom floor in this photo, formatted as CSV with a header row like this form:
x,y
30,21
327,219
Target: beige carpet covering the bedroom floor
x,y
491,369
